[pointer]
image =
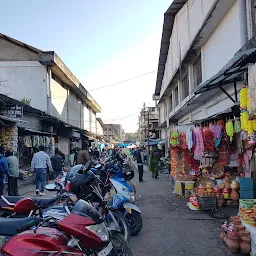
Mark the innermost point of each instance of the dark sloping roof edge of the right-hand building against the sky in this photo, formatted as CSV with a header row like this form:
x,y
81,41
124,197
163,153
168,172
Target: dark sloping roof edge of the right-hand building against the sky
x,y
169,17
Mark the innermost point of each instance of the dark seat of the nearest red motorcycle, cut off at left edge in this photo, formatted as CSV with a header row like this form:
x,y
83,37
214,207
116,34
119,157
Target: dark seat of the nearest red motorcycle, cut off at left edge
x,y
9,226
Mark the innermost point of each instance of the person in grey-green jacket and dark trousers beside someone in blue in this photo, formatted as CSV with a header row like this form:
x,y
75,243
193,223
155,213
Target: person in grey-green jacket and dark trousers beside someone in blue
x,y
13,173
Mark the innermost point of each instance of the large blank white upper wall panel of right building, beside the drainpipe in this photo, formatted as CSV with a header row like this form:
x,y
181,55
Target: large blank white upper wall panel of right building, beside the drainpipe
x,y
222,44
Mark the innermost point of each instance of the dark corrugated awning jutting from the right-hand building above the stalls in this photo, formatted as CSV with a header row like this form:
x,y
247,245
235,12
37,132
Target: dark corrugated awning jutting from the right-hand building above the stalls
x,y
231,72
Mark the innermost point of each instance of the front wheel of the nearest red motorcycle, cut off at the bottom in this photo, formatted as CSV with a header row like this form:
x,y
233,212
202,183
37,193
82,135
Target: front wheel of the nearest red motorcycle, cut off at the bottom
x,y
120,246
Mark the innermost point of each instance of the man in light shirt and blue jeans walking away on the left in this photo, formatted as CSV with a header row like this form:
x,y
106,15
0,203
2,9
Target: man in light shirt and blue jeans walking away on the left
x,y
39,164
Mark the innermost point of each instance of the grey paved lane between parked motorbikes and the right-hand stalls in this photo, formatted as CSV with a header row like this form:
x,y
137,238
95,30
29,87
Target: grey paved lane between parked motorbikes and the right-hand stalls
x,y
171,228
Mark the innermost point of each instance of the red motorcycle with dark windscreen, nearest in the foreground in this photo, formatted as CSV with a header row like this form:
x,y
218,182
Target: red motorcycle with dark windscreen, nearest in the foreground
x,y
82,232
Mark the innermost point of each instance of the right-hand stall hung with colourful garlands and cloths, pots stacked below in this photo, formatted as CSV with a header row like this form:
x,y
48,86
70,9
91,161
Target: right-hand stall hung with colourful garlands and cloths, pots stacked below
x,y
209,160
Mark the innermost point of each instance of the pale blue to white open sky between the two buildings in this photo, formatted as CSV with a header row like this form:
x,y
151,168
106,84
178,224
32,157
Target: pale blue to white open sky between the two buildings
x,y
101,41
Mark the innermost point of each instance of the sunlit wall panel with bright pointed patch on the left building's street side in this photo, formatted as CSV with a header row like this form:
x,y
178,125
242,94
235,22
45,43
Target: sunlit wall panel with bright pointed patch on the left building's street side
x,y
59,101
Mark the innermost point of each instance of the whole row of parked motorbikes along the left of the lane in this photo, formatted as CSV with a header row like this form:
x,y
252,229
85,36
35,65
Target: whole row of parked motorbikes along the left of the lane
x,y
92,213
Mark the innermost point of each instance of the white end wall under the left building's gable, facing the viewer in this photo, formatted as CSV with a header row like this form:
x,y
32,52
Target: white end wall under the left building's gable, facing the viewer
x,y
25,79
